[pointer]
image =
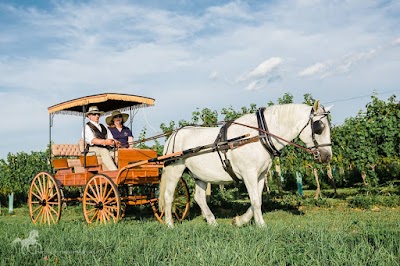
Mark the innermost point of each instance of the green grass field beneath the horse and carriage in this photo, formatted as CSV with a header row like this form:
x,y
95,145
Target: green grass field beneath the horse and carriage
x,y
307,236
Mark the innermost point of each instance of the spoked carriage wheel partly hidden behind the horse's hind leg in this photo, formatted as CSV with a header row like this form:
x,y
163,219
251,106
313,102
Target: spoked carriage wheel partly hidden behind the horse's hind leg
x,y
180,205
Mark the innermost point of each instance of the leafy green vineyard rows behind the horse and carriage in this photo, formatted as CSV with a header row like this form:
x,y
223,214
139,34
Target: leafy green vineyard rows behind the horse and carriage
x,y
366,149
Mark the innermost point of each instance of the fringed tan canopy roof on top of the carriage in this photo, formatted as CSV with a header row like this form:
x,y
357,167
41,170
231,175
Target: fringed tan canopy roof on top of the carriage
x,y
106,102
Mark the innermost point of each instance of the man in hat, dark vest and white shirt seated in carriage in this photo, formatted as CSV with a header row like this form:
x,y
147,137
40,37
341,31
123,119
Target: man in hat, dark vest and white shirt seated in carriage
x,y
99,138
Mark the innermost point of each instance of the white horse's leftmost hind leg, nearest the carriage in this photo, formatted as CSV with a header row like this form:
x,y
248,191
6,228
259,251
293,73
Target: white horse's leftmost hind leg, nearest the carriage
x,y
172,174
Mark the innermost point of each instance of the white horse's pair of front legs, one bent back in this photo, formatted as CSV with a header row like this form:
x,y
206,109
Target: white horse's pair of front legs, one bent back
x,y
255,195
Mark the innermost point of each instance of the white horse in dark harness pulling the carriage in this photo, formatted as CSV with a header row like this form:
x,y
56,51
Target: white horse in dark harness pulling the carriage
x,y
250,162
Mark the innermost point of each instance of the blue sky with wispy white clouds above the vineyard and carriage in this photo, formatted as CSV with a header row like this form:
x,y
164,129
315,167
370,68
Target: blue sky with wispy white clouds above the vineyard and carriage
x,y
188,55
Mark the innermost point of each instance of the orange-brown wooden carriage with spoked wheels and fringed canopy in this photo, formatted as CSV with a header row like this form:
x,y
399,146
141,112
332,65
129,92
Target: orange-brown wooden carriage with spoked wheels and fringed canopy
x,y
104,194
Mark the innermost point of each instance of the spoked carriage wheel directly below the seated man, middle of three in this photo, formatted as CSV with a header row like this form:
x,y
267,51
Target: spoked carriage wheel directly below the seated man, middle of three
x,y
101,201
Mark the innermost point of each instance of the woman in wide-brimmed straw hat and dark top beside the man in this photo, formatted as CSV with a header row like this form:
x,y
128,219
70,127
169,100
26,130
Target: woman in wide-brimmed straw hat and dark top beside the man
x,y
120,132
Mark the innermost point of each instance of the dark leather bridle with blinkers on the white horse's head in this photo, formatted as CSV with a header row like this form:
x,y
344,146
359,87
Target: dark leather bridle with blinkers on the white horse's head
x,y
317,127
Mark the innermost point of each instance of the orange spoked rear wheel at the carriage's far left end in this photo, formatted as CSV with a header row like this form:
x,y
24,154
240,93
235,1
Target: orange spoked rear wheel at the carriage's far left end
x,y
44,200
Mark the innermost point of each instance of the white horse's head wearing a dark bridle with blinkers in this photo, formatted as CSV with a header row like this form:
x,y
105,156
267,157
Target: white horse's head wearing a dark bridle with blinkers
x,y
316,134
